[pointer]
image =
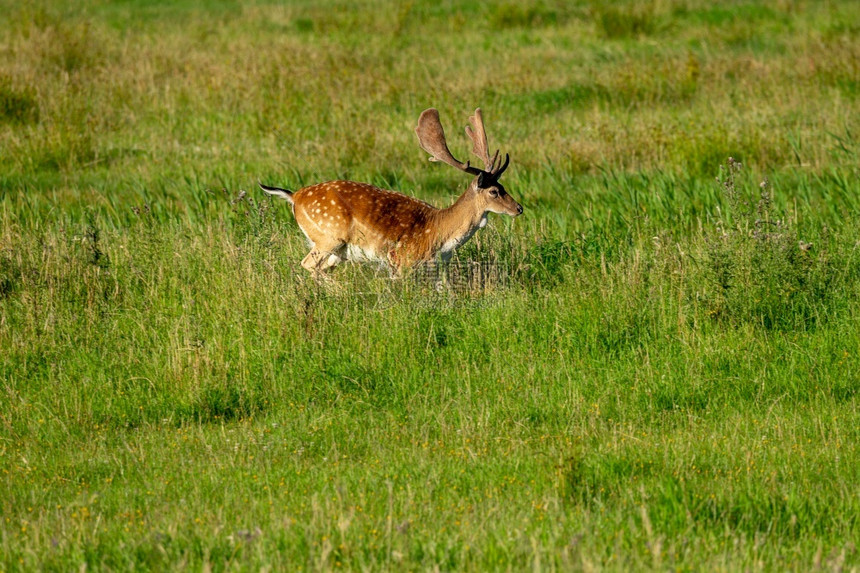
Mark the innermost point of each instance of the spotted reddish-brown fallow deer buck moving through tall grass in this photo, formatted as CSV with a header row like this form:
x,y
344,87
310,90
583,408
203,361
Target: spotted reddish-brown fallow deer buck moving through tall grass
x,y
344,220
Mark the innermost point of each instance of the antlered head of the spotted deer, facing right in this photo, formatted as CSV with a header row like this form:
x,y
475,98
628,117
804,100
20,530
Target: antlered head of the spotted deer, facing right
x,y
489,193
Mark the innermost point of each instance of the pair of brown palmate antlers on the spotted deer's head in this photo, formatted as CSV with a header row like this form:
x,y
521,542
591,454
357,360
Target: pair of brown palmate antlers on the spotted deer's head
x,y
431,138
